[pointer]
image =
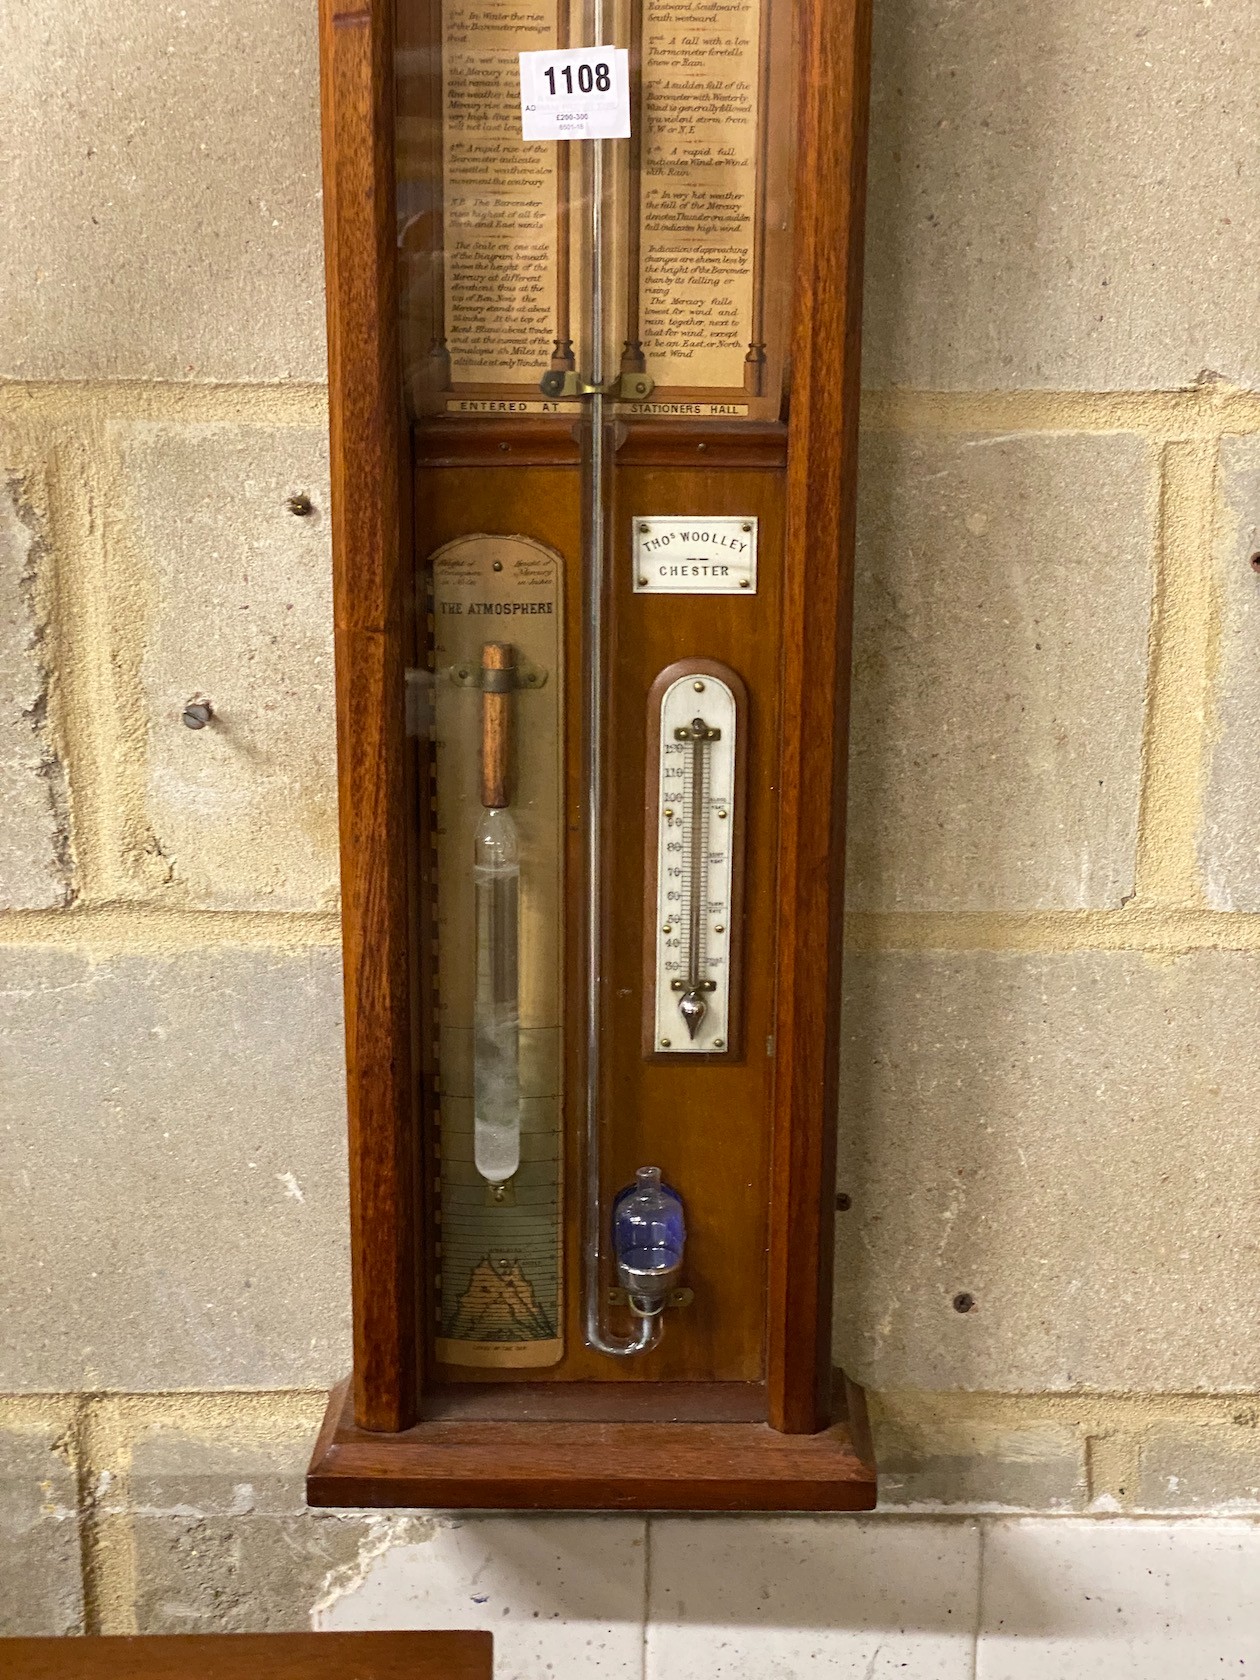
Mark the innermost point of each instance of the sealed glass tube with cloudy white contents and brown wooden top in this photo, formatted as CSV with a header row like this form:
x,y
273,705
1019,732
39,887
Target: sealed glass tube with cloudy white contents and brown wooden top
x,y
496,873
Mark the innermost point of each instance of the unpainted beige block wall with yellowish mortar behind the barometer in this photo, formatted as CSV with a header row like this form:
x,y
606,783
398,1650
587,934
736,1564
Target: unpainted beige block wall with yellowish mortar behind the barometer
x,y
1049,1256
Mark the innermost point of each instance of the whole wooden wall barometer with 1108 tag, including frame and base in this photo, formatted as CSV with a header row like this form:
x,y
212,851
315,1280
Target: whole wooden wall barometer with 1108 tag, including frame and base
x,y
594,302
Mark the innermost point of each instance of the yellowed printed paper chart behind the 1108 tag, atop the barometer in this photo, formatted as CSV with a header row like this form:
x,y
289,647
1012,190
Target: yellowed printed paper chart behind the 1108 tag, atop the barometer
x,y
496,233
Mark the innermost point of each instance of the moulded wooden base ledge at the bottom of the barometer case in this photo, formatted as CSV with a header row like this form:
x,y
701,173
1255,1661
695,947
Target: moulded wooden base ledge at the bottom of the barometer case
x,y
495,1466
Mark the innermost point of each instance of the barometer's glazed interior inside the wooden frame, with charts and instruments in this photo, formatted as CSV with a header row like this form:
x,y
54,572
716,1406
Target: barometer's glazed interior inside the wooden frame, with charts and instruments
x,y
597,369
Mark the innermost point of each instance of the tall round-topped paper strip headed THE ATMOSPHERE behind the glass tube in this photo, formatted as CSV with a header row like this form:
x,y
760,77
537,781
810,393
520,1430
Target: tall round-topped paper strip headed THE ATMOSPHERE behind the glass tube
x,y
501,1293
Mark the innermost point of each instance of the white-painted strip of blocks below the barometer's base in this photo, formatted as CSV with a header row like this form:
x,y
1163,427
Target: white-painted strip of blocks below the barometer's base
x,y
795,1599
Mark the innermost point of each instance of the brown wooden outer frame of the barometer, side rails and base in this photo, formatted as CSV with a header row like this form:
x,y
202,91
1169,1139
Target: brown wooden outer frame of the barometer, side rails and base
x,y
392,1437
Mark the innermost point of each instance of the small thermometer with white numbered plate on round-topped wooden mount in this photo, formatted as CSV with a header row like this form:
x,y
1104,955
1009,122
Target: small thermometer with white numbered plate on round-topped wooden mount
x,y
695,848
